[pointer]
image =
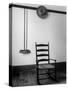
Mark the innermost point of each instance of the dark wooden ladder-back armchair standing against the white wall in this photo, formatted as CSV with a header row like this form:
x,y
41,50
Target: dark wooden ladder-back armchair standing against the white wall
x,y
49,68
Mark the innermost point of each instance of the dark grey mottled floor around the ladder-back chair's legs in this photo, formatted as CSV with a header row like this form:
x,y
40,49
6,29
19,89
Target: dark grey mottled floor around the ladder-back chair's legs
x,y
29,78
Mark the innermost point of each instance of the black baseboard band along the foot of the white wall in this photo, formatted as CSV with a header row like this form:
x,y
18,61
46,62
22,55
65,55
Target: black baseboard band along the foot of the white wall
x,y
15,70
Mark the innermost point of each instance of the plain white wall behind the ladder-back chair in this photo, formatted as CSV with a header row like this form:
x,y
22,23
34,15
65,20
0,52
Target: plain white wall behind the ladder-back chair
x,y
51,29
